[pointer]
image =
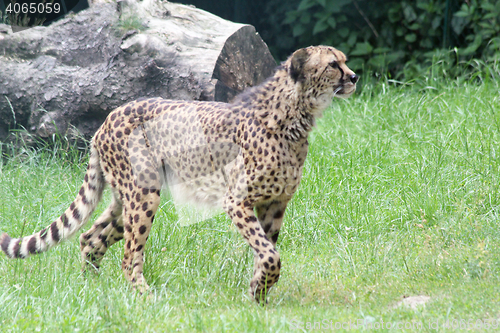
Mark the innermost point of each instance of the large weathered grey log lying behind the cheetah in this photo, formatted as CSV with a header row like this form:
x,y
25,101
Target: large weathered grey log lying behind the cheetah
x,y
71,74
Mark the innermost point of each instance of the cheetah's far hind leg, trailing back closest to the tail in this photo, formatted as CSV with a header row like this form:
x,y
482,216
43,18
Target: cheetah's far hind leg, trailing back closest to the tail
x,y
107,230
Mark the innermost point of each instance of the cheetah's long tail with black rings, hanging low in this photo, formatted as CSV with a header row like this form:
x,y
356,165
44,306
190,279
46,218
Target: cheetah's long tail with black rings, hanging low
x,y
68,223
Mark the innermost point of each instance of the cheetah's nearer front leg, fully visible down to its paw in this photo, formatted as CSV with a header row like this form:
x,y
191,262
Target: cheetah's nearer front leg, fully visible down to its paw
x,y
267,260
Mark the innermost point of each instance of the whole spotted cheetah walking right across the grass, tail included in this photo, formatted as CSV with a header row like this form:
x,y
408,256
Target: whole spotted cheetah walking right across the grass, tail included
x,y
246,156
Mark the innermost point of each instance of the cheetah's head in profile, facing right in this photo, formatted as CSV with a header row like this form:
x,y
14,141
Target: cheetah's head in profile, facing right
x,y
321,74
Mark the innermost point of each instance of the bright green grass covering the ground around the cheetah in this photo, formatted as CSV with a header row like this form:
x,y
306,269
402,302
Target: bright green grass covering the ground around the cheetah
x,y
400,197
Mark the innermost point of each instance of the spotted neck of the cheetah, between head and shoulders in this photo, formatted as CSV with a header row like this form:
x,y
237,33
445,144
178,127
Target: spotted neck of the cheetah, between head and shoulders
x,y
281,105
